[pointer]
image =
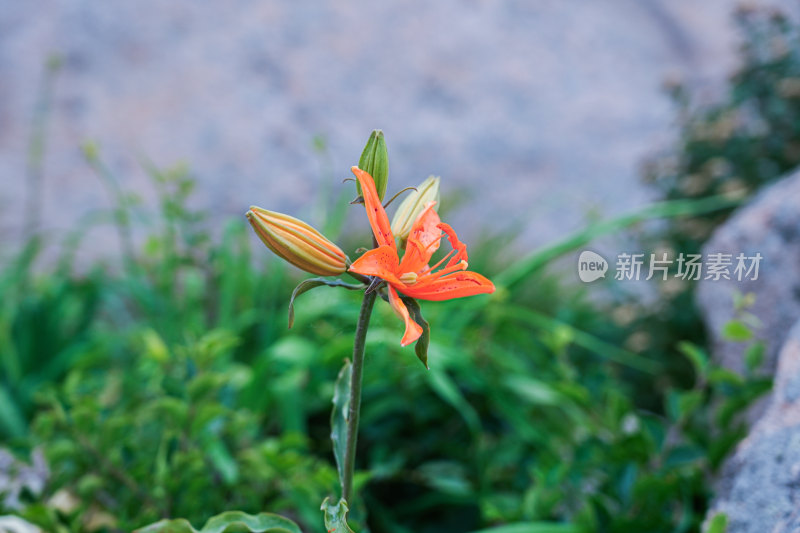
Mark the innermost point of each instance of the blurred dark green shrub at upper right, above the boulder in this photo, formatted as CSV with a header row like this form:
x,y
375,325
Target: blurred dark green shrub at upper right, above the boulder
x,y
748,138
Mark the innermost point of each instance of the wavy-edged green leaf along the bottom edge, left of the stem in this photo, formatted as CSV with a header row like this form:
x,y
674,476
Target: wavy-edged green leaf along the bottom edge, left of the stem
x,y
228,522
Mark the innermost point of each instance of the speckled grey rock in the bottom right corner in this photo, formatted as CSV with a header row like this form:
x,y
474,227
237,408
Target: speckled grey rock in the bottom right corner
x,y
760,487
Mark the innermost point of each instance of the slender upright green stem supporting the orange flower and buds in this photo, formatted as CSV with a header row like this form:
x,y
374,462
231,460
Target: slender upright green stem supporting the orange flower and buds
x,y
355,395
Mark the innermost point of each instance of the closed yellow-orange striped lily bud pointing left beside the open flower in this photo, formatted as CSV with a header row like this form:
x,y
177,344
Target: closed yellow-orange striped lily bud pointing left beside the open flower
x,y
297,242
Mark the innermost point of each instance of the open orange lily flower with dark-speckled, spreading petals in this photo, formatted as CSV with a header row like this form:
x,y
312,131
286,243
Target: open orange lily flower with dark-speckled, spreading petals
x,y
412,275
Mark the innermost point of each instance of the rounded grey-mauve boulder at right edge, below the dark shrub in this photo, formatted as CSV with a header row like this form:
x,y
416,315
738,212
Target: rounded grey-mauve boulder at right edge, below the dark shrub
x,y
770,225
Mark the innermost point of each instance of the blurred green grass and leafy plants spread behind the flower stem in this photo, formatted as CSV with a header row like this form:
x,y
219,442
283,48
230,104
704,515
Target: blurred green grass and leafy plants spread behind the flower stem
x,y
171,387
